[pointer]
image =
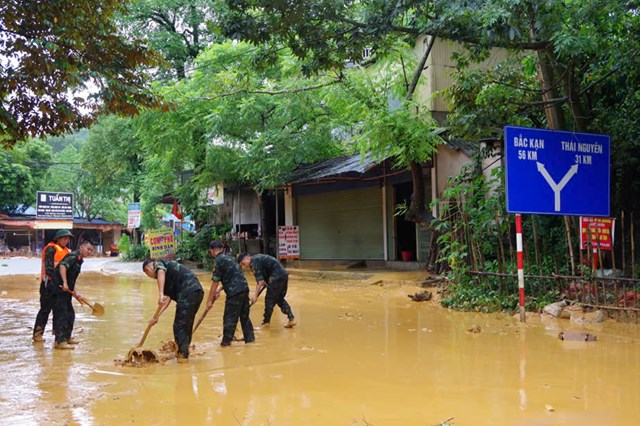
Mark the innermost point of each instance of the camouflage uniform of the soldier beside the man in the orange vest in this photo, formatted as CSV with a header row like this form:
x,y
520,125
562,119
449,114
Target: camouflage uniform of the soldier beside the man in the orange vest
x,y
64,315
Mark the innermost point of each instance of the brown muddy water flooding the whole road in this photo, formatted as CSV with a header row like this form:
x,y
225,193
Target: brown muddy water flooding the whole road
x,y
362,354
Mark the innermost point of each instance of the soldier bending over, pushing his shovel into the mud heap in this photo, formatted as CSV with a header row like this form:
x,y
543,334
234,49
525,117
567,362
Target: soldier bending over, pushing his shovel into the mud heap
x,y
176,282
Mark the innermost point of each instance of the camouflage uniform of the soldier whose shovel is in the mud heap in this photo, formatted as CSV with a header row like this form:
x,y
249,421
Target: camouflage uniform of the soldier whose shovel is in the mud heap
x,y
183,286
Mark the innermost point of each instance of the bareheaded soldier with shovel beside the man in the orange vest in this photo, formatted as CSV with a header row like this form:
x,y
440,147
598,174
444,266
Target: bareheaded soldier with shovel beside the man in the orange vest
x,y
64,282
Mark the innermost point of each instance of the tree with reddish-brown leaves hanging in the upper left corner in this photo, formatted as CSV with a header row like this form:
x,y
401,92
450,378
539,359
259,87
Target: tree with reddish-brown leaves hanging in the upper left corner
x,y
53,53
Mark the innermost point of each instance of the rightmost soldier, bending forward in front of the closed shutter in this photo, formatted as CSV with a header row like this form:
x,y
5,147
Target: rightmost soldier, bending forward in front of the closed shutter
x,y
269,272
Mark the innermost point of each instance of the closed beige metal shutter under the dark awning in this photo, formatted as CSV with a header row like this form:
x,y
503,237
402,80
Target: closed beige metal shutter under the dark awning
x,y
341,225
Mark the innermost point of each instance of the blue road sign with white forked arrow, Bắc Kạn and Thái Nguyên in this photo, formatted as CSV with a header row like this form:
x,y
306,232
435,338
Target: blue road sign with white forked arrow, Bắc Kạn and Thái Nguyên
x,y
557,173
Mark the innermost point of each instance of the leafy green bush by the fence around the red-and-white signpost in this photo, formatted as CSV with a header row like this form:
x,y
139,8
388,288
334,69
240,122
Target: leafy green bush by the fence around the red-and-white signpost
x,y
477,237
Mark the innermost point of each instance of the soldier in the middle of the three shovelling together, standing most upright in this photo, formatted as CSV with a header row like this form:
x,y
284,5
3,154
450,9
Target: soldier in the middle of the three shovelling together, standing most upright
x,y
235,285
